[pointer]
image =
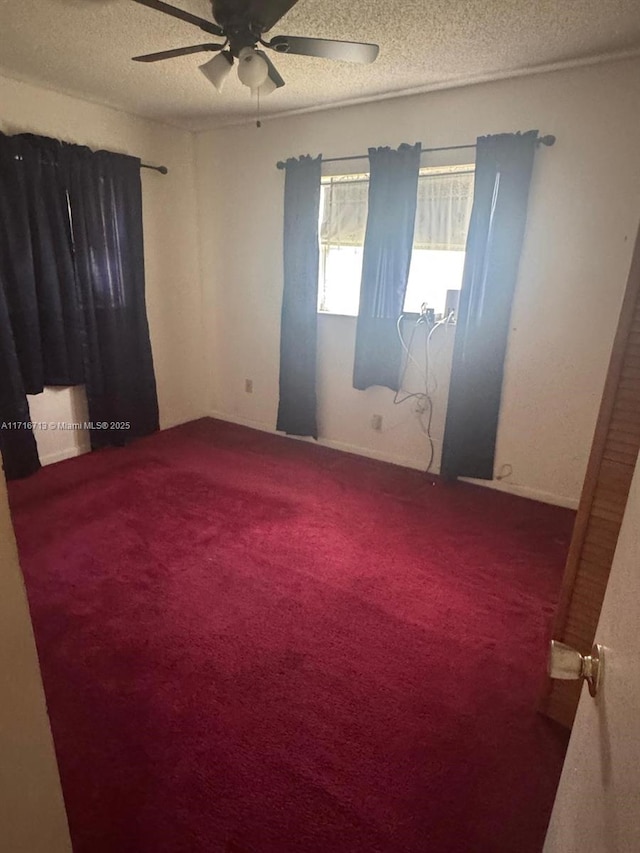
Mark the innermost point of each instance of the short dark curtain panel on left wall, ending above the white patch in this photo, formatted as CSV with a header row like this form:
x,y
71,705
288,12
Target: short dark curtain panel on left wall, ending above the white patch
x,y
37,262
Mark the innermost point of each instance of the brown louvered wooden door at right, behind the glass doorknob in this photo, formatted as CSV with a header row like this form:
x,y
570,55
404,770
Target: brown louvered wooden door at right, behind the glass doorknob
x,y
604,496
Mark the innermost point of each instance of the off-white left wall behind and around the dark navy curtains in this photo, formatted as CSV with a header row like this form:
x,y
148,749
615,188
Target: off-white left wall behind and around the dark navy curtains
x,y
171,250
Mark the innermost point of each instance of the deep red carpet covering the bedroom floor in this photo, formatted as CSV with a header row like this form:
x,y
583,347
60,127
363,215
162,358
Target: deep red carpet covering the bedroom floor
x,y
255,644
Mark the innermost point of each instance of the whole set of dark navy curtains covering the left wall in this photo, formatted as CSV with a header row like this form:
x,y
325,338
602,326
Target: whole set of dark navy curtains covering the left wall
x,y
72,307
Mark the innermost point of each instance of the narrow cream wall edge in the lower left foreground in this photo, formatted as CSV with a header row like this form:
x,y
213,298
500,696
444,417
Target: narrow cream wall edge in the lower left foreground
x,y
32,815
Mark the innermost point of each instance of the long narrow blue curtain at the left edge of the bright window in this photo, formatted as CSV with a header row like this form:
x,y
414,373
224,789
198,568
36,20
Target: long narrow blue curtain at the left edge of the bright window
x,y
297,409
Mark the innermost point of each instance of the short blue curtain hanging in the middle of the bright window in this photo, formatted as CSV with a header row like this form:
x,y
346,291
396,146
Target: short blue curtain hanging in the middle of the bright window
x,y
388,244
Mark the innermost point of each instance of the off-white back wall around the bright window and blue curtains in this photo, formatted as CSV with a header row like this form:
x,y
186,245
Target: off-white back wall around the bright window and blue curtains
x,y
583,215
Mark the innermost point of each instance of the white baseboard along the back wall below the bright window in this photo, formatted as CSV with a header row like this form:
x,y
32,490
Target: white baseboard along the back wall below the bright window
x,y
405,462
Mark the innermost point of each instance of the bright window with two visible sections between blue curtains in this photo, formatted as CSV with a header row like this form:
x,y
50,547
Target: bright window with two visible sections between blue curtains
x,y
445,196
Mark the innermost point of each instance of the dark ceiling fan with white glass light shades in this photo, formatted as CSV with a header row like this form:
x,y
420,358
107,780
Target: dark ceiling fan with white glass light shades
x,y
242,24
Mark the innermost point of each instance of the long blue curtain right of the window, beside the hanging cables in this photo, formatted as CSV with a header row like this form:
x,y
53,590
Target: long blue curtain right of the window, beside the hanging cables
x,y
503,173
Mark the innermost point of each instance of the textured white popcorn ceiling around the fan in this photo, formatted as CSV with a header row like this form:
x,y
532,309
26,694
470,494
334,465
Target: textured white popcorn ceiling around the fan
x,y
84,47
